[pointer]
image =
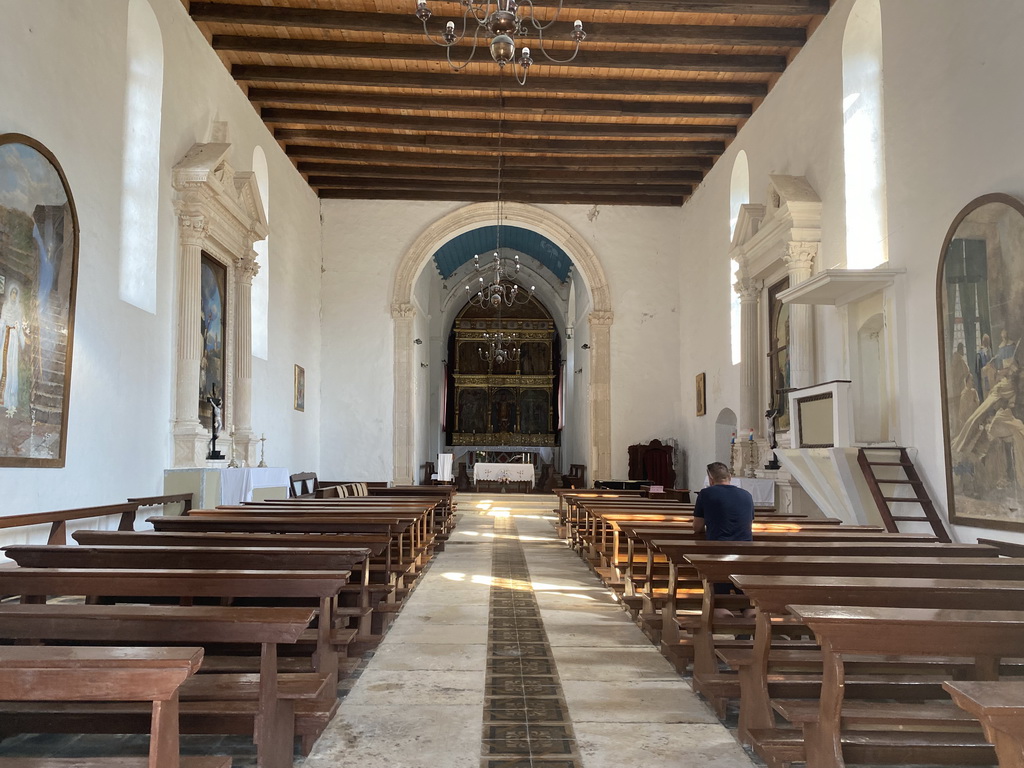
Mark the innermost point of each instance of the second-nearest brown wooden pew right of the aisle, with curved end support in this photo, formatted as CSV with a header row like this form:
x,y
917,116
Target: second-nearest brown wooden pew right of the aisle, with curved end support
x,y
986,636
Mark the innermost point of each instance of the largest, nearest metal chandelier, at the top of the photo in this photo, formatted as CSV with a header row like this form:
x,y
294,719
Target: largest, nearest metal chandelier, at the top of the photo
x,y
502,22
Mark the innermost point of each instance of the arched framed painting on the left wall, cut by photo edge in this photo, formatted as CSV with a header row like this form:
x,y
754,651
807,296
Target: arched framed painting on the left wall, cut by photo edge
x,y
38,279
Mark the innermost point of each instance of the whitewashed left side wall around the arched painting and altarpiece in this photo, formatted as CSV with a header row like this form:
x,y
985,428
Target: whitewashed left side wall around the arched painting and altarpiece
x,y
63,82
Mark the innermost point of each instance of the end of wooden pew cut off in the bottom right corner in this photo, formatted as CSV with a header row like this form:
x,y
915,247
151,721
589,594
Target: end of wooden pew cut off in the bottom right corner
x,y
1000,707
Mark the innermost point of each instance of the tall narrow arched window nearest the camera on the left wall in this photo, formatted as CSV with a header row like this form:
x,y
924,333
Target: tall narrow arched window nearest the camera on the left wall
x,y
141,173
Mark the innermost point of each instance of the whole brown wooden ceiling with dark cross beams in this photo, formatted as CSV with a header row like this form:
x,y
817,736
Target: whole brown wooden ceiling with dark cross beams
x,y
367,108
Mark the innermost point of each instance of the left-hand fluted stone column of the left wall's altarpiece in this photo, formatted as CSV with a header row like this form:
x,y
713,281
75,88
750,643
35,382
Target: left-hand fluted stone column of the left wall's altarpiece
x,y
190,436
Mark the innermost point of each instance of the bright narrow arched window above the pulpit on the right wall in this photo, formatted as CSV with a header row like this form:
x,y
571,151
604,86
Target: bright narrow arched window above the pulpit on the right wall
x,y
864,138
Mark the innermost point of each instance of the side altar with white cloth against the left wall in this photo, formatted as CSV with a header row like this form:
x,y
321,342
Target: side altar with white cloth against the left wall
x,y
211,487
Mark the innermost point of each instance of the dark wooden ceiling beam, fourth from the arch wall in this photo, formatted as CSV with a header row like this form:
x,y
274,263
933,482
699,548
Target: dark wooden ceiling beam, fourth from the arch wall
x,y
490,160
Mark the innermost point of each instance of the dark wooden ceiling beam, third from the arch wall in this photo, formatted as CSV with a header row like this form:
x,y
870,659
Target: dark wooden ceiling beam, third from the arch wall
x,y
326,172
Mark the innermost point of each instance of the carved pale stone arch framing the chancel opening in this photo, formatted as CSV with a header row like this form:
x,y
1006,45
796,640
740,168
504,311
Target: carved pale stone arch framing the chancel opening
x,y
404,312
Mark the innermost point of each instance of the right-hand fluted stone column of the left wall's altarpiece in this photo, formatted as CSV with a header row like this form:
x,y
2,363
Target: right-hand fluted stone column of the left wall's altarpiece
x,y
245,446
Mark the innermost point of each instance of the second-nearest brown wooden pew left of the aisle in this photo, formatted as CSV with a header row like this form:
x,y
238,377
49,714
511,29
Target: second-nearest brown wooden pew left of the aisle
x,y
264,705
